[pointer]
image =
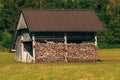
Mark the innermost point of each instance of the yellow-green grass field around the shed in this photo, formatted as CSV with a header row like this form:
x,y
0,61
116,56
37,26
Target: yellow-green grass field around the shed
x,y
107,69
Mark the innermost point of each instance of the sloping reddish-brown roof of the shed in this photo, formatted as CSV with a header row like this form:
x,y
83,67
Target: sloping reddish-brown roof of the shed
x,y
62,20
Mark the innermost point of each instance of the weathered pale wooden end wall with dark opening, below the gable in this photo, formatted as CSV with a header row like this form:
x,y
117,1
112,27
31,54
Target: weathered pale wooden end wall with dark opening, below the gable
x,y
24,46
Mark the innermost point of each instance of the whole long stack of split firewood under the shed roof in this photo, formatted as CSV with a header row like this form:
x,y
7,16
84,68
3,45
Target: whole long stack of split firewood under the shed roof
x,y
60,52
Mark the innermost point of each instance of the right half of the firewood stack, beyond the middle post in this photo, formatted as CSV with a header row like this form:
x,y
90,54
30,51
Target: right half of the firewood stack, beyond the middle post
x,y
82,52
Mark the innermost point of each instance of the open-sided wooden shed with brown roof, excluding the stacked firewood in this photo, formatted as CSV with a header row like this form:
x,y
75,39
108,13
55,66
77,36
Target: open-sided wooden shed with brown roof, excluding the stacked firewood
x,y
72,26
